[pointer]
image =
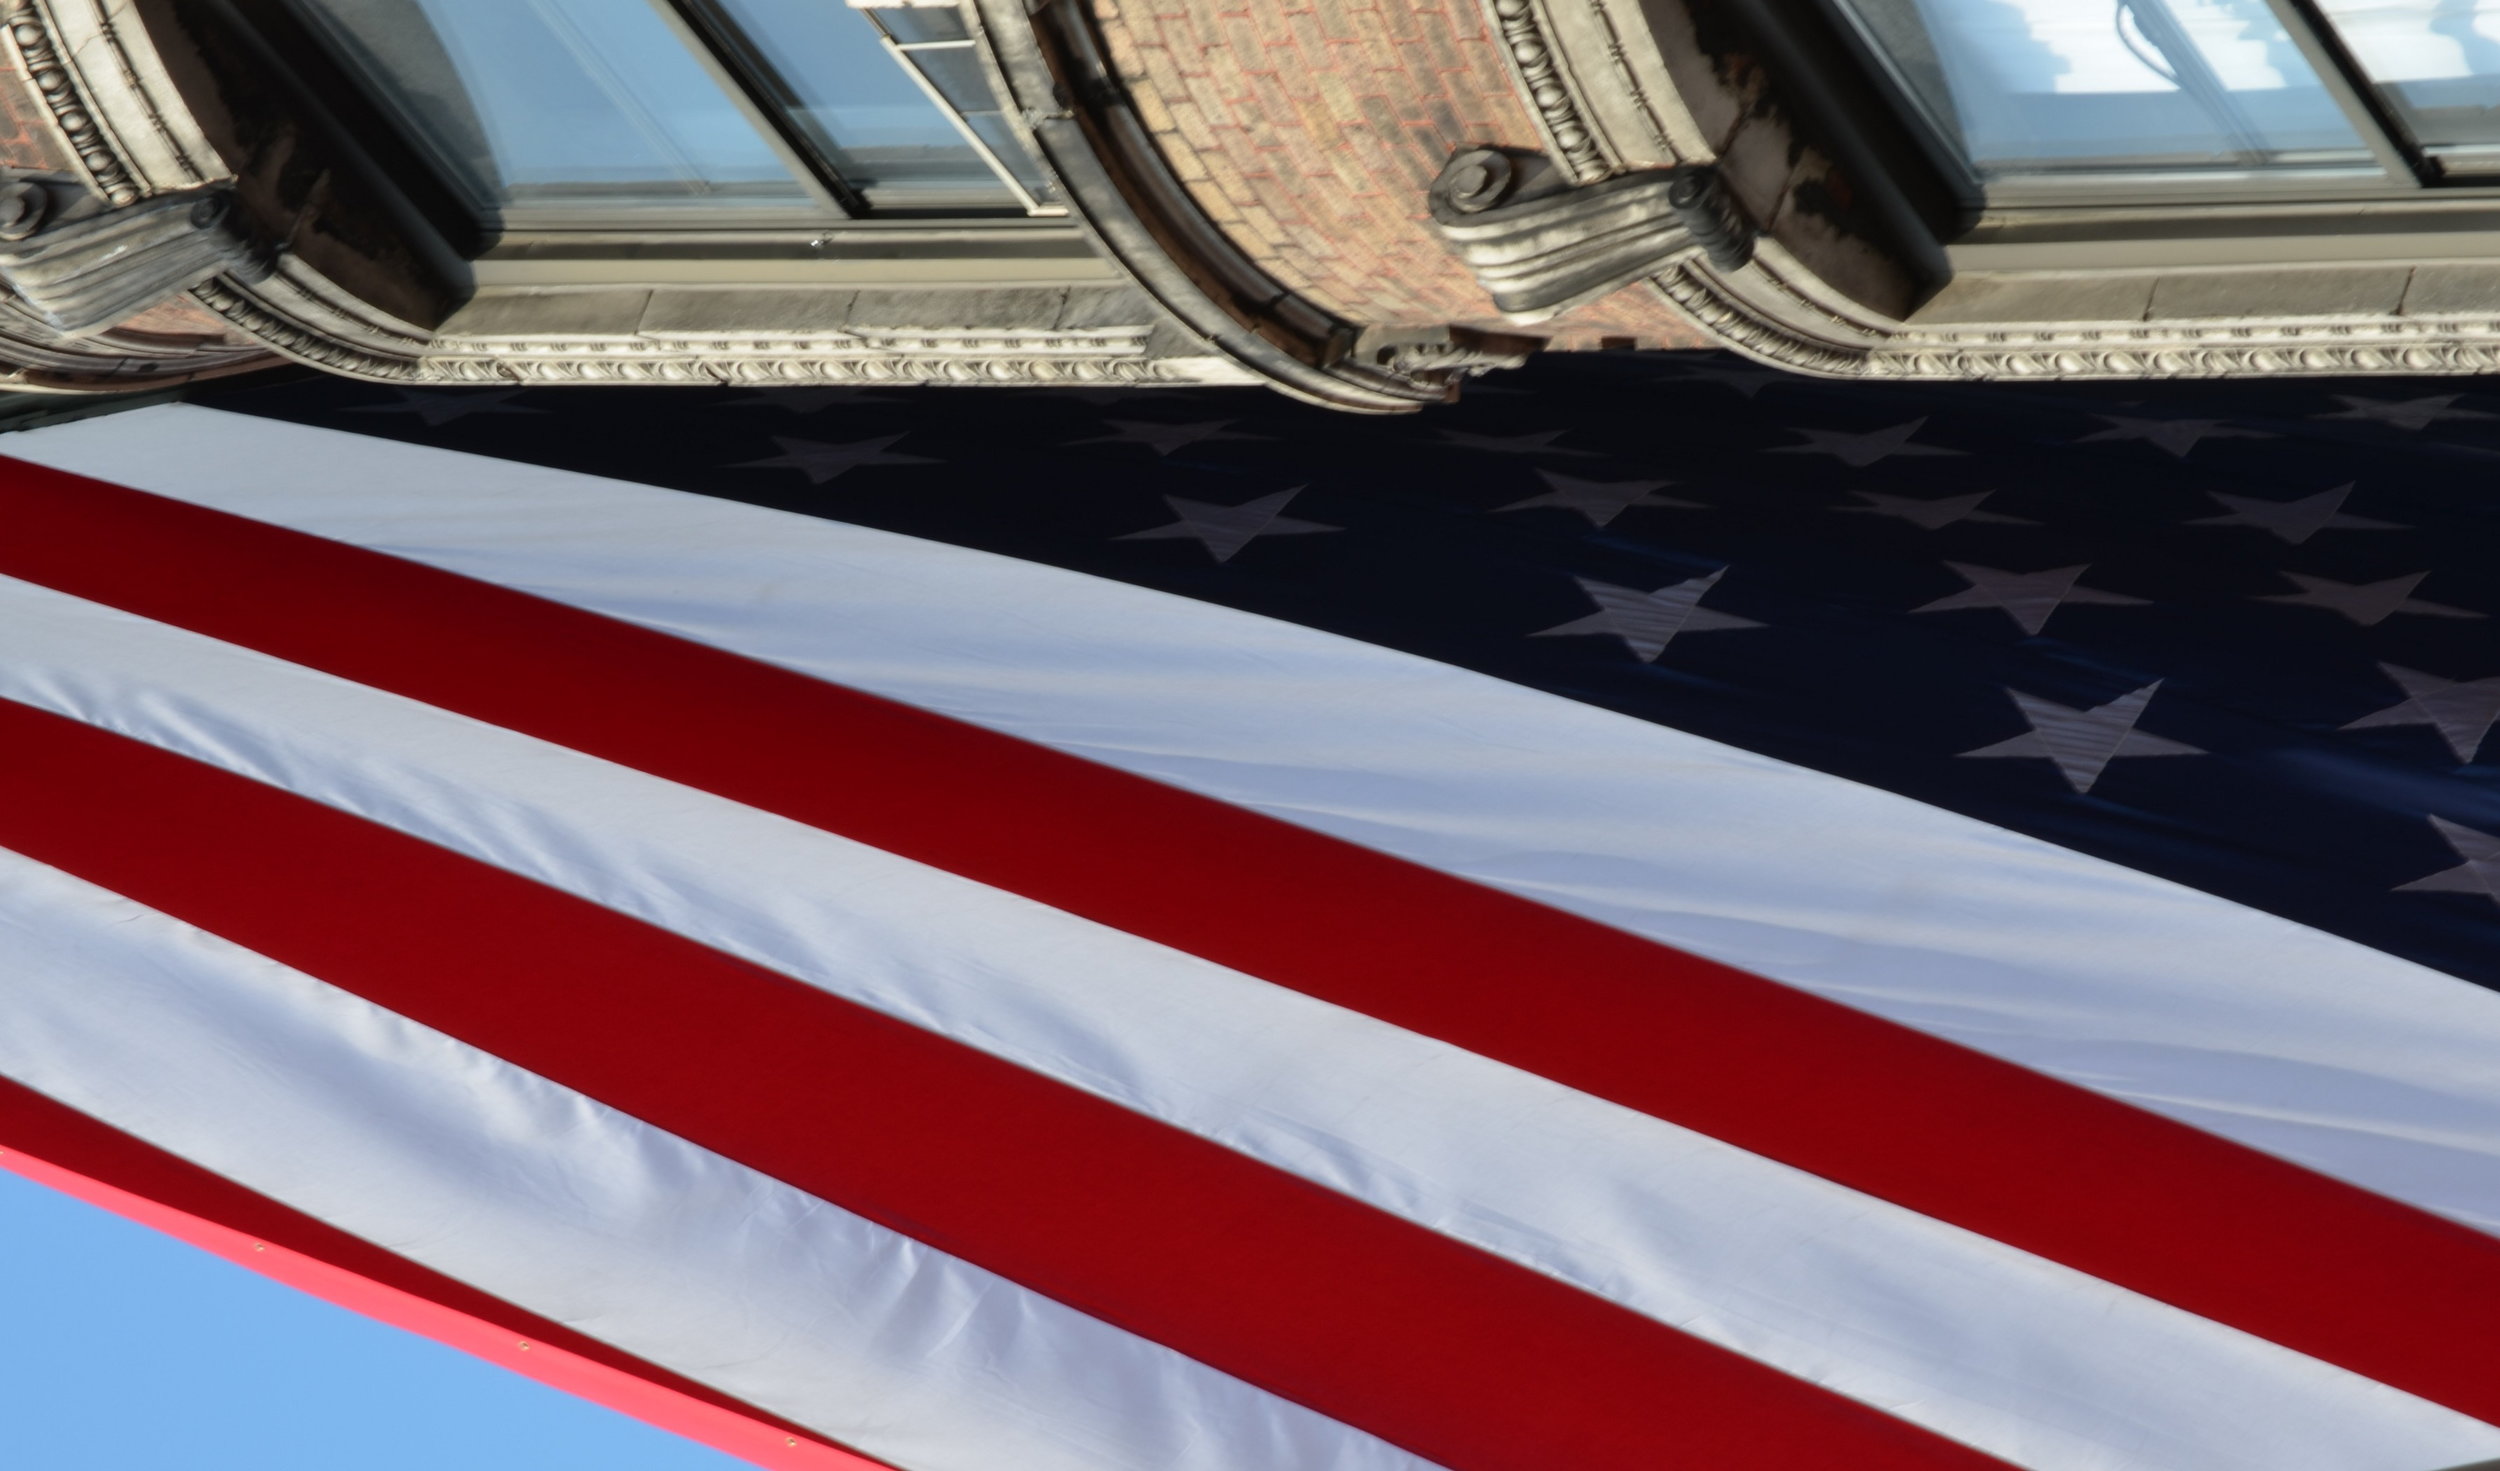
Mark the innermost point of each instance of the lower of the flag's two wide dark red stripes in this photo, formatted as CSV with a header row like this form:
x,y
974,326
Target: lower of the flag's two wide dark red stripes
x,y
1354,1312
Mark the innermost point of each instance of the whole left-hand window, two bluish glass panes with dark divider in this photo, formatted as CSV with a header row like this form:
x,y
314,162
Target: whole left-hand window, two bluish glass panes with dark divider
x,y
674,114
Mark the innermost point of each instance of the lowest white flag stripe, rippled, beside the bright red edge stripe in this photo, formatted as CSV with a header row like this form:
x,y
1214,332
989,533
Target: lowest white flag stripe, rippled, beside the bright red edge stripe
x,y
586,1217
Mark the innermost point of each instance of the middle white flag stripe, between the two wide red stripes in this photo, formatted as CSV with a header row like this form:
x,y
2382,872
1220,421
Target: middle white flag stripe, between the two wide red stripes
x,y
1974,1340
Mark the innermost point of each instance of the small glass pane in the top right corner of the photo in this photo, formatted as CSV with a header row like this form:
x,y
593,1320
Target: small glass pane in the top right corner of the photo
x,y
2439,66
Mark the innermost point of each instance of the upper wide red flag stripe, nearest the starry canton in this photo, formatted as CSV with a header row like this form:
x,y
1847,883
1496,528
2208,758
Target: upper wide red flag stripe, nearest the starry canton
x,y
2129,1197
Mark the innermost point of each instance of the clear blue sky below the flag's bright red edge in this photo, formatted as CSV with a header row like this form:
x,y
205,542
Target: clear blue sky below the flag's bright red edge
x,y
129,1352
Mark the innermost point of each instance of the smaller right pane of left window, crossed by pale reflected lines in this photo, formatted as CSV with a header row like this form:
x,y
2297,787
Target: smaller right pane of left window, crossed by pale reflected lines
x,y
861,104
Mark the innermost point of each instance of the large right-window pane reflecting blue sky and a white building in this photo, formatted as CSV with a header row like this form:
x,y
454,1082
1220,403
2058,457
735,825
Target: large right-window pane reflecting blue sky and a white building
x,y
2039,89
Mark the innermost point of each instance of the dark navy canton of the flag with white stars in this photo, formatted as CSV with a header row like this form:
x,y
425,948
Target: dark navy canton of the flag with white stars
x,y
1996,599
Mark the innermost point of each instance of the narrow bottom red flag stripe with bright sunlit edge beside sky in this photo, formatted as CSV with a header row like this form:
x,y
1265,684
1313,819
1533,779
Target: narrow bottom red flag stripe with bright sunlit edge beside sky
x,y
176,1197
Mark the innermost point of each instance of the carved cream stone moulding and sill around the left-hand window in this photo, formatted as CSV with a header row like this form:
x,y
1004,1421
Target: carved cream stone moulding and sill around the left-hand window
x,y
859,301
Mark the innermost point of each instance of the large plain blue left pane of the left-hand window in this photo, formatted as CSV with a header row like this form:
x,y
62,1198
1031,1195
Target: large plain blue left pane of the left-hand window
x,y
556,106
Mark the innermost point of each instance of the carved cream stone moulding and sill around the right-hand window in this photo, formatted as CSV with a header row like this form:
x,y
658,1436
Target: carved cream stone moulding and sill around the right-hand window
x,y
2406,284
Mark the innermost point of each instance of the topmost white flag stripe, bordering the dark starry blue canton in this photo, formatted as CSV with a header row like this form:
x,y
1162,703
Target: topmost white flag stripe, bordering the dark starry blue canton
x,y
2236,1022
